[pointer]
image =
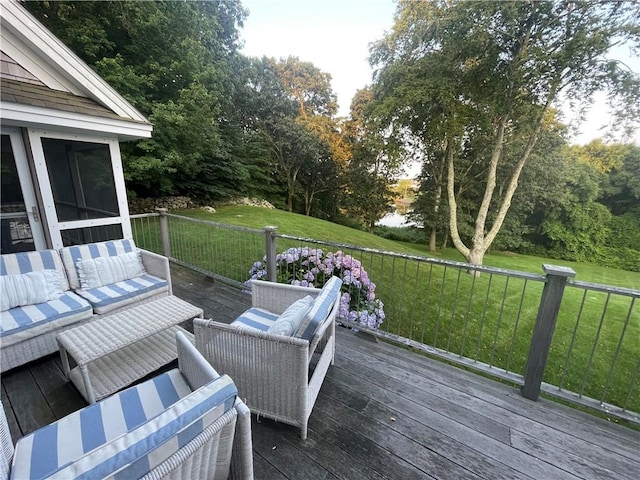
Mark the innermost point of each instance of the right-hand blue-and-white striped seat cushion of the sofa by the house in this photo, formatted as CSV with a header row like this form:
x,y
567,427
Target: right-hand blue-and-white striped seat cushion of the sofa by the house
x,y
110,297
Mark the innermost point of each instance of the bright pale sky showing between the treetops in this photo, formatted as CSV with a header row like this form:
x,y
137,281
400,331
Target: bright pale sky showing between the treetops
x,y
335,35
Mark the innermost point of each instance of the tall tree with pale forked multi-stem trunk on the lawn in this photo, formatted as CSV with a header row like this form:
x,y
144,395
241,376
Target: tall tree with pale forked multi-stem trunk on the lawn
x,y
491,71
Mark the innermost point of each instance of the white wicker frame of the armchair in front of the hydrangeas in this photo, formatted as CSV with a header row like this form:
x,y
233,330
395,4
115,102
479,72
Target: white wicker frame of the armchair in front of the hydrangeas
x,y
278,377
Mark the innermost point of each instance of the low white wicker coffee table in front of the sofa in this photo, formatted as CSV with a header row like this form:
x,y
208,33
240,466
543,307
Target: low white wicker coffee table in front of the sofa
x,y
115,351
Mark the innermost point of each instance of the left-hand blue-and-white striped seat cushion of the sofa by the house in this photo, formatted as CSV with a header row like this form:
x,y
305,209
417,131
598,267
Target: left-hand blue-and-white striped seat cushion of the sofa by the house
x,y
21,323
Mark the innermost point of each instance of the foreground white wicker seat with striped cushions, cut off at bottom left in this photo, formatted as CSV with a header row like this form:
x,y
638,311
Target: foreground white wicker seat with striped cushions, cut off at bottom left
x,y
185,423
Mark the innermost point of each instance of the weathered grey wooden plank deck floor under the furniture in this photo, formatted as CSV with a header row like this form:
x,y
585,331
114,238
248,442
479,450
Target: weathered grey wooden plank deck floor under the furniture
x,y
384,412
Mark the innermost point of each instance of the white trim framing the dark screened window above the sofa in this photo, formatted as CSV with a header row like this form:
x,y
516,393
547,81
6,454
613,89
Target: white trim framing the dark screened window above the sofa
x,y
56,227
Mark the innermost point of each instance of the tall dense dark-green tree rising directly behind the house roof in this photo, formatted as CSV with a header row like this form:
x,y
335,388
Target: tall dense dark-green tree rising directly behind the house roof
x,y
175,62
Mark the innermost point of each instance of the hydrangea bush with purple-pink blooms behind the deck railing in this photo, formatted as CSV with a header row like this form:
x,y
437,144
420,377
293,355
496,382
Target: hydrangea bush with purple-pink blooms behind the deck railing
x,y
311,267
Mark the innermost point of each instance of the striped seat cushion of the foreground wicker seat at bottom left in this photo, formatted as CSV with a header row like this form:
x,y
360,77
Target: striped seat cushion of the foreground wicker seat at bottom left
x,y
41,454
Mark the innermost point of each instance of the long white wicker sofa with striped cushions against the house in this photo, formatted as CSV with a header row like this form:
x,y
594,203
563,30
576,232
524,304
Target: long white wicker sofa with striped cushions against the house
x,y
29,325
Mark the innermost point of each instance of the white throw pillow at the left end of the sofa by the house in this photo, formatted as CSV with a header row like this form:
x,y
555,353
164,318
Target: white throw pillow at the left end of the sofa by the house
x,y
29,288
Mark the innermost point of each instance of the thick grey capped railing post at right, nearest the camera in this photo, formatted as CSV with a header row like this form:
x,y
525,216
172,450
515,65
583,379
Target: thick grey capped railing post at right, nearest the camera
x,y
545,325
